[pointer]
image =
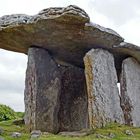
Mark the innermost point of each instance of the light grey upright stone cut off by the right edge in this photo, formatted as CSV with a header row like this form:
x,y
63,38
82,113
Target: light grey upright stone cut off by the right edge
x,y
130,91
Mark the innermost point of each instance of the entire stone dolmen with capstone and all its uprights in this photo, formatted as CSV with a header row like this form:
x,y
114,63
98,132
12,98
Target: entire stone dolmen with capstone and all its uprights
x,y
74,67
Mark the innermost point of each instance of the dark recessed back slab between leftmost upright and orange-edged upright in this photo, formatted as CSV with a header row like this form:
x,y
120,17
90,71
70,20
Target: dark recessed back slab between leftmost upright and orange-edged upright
x,y
73,114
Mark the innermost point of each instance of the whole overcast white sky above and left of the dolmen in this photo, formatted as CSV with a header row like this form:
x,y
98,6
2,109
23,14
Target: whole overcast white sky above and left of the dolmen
x,y
122,16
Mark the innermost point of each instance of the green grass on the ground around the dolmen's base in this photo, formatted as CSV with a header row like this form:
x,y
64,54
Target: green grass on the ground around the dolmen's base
x,y
116,129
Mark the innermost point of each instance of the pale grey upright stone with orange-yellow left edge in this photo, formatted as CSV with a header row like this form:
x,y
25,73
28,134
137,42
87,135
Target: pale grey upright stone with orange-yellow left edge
x,y
103,94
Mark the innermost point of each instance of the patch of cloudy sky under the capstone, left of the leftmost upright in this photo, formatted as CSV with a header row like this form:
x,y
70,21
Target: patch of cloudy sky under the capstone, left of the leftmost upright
x,y
12,76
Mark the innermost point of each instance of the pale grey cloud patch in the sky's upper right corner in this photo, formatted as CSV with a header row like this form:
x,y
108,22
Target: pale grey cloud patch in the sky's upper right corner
x,y
119,11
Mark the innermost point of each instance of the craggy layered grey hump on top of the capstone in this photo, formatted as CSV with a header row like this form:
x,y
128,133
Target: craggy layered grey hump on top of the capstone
x,y
71,14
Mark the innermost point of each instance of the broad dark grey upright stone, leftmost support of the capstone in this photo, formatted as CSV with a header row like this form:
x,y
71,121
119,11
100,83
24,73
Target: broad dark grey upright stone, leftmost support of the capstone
x,y
42,91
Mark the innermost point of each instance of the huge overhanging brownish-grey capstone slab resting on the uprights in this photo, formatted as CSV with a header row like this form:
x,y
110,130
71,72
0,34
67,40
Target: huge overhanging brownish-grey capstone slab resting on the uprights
x,y
66,32
